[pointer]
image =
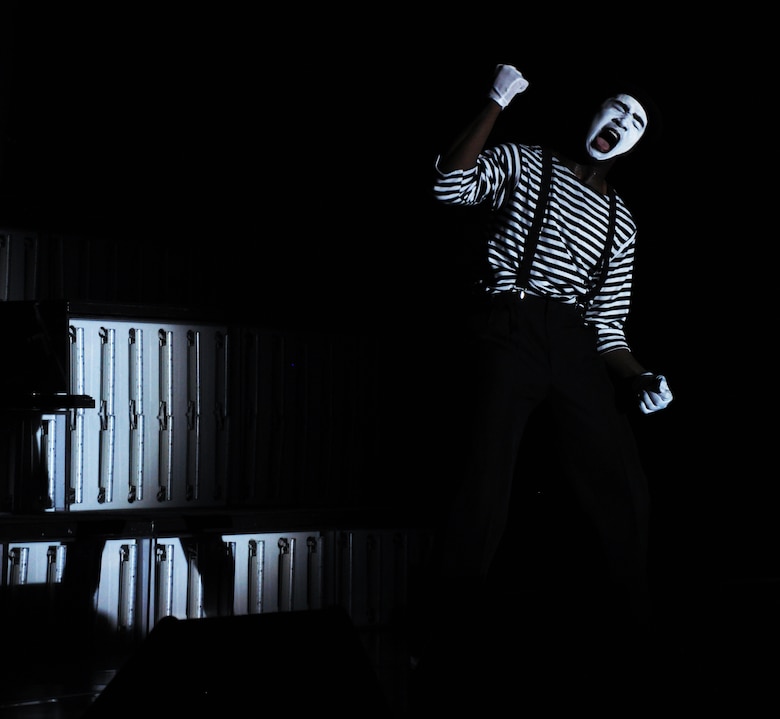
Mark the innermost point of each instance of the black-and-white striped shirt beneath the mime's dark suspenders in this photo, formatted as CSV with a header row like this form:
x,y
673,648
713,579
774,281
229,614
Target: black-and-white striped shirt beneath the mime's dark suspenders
x,y
566,261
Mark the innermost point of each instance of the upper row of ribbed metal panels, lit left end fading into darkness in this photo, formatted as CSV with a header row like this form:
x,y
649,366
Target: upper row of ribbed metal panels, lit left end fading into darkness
x,y
133,408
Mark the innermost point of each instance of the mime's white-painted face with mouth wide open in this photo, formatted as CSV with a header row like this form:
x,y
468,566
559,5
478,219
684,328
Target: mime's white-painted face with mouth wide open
x,y
616,128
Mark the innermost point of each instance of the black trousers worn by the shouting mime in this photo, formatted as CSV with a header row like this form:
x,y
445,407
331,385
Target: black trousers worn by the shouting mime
x,y
528,352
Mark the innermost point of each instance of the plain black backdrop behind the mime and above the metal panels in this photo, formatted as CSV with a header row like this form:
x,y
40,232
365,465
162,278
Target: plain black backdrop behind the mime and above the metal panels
x,y
292,150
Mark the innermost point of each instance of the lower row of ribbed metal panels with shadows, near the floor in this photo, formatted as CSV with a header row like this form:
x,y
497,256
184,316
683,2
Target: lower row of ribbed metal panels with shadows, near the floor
x,y
123,576
